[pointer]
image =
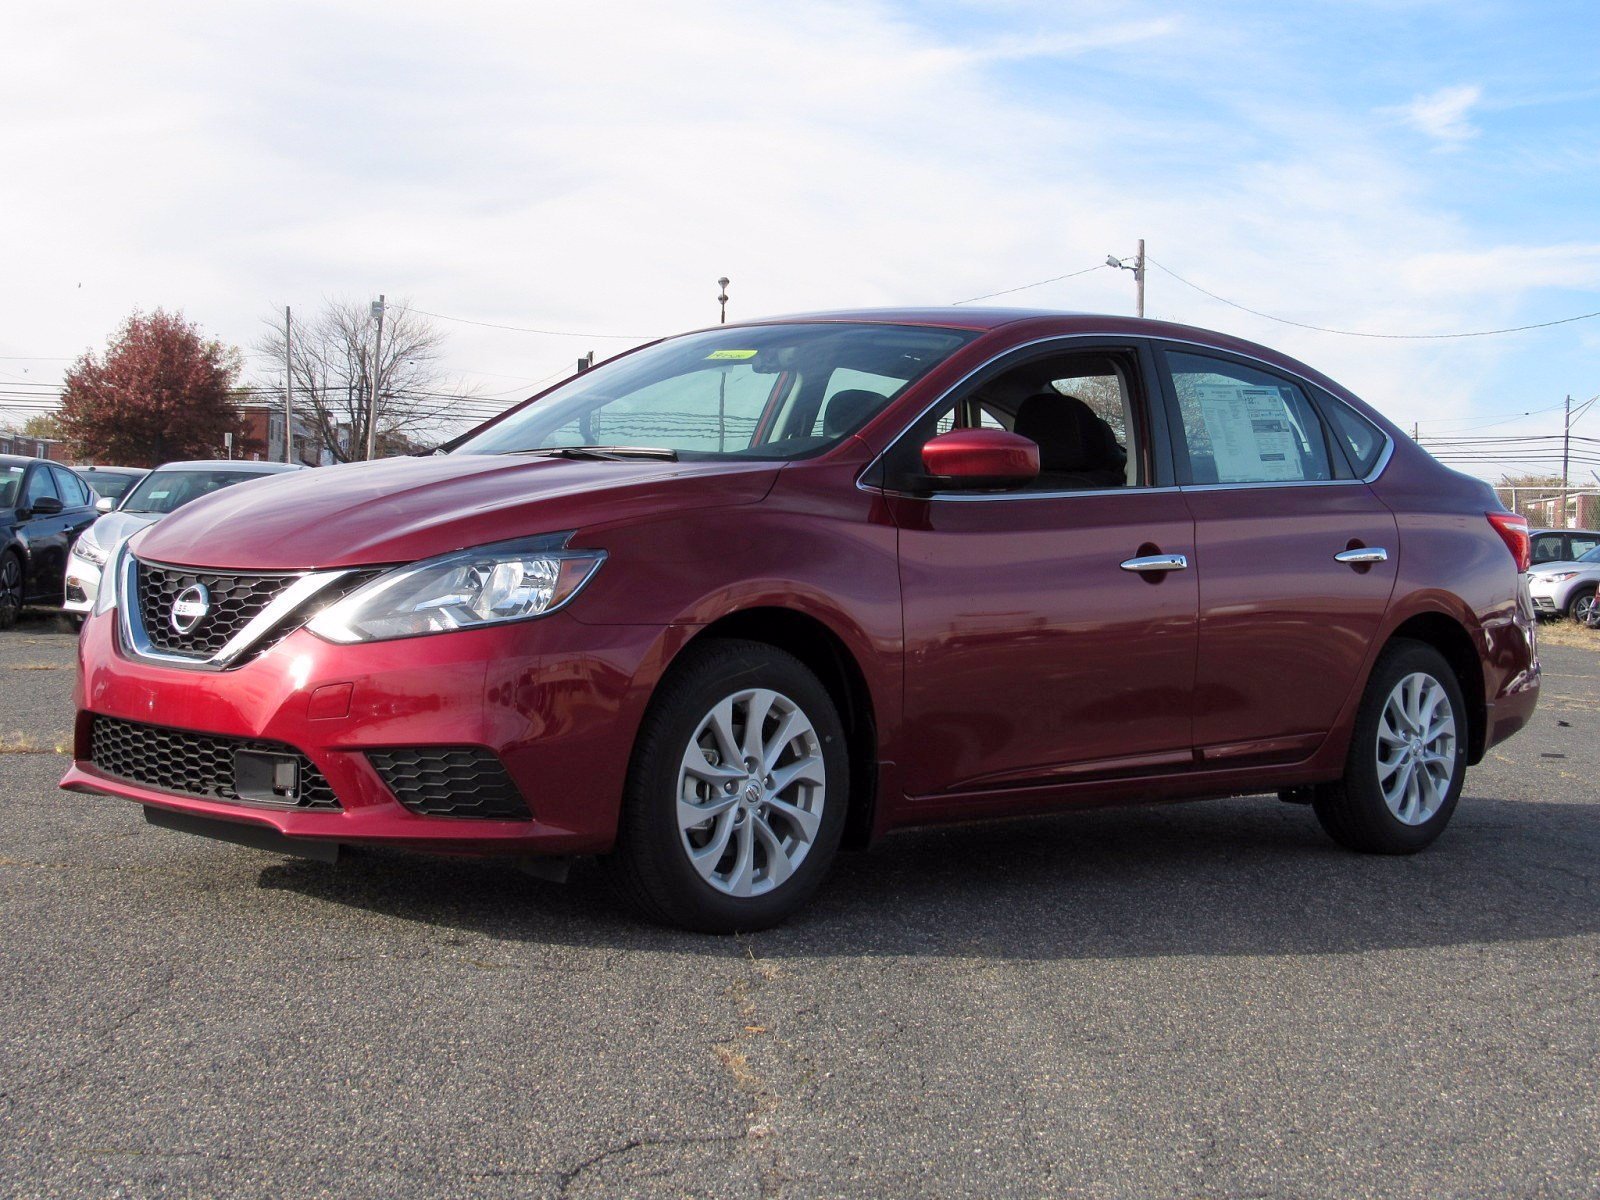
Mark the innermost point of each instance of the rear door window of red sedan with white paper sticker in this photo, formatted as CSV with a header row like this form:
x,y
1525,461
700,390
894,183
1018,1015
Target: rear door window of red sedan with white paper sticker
x,y
1246,426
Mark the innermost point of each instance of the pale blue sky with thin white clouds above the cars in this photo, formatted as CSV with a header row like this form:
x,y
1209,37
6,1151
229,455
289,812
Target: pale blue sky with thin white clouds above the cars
x,y
1396,167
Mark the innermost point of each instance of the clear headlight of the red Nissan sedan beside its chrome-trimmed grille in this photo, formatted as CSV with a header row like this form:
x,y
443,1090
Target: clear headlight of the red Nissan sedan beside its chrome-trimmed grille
x,y
484,586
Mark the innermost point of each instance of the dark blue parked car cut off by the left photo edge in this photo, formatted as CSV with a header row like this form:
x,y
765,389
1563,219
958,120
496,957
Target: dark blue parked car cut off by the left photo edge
x,y
44,508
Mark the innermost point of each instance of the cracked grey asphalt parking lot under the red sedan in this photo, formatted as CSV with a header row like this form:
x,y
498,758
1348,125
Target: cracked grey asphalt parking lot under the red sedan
x,y
1206,1001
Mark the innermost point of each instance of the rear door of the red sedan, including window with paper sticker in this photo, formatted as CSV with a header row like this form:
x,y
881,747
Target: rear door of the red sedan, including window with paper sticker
x,y
1297,556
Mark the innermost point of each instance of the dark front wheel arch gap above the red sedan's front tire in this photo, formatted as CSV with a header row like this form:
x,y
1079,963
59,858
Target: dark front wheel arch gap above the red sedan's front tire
x,y
830,657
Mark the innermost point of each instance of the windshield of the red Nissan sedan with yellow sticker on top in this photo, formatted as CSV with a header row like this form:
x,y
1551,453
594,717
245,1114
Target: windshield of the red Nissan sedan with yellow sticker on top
x,y
766,393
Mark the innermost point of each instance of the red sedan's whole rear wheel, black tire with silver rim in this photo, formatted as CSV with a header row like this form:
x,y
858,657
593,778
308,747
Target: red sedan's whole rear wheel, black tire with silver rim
x,y
1409,679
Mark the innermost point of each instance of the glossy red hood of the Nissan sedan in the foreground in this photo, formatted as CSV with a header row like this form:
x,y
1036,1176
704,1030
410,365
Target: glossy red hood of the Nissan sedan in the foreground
x,y
404,510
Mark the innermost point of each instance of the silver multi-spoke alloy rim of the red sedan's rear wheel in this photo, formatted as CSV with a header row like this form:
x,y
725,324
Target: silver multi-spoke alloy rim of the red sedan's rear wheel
x,y
1417,748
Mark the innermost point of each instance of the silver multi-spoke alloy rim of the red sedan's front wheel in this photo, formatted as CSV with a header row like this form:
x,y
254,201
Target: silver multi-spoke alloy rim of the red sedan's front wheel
x,y
751,793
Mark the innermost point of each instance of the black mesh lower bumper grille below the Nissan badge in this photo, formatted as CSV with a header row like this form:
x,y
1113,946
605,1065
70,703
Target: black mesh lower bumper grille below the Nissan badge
x,y
193,764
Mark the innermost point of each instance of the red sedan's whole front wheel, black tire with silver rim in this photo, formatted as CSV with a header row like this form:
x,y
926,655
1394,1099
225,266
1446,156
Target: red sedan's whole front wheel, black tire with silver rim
x,y
783,820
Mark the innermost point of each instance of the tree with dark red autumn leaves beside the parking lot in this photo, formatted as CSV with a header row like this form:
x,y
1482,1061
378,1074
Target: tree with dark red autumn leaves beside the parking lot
x,y
162,393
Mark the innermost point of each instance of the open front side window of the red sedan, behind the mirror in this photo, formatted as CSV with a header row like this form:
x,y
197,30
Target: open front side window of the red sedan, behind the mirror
x,y
1081,409
